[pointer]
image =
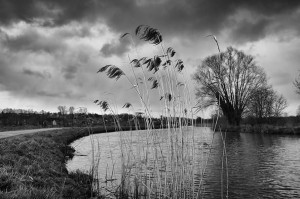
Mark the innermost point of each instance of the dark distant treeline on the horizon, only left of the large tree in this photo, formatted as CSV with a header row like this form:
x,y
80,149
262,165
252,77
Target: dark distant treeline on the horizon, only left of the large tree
x,y
24,118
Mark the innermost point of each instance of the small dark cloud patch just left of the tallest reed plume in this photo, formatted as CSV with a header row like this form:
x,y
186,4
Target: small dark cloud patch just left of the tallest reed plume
x,y
115,48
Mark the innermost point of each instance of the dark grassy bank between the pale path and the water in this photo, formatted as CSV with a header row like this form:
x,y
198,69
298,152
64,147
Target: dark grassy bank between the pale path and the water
x,y
33,166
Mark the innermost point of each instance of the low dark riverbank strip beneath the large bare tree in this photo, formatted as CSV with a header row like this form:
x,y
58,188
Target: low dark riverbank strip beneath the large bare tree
x,y
265,129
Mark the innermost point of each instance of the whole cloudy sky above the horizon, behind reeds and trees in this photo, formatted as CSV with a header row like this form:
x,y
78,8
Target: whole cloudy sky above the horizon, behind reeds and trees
x,y
51,50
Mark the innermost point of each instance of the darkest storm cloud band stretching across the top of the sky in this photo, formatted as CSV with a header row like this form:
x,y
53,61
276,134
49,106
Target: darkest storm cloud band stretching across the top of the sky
x,y
173,17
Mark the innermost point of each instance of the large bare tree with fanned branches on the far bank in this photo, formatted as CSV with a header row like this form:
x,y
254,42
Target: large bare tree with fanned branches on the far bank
x,y
228,79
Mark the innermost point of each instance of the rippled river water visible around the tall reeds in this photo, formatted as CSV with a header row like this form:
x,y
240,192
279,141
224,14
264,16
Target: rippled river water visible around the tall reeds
x,y
259,166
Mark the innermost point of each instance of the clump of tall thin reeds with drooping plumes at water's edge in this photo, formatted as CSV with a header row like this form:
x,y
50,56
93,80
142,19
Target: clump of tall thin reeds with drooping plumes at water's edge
x,y
158,165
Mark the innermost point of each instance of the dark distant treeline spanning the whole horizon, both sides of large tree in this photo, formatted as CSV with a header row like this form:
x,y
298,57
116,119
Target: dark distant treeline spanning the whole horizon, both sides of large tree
x,y
19,119
